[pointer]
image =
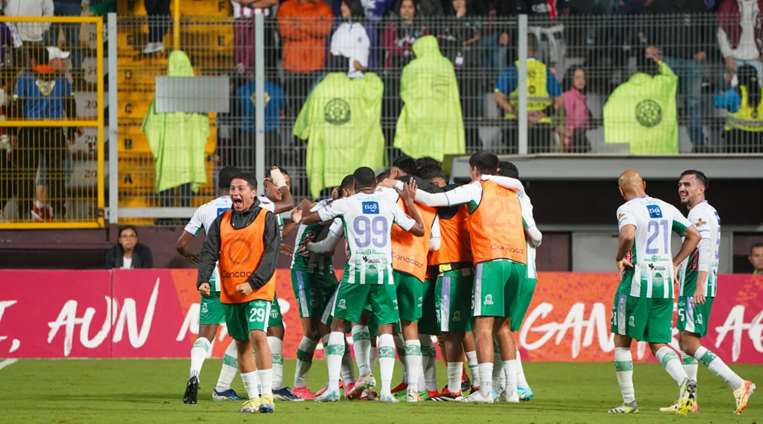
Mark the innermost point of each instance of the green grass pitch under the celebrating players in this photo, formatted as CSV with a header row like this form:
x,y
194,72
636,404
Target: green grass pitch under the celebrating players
x,y
125,391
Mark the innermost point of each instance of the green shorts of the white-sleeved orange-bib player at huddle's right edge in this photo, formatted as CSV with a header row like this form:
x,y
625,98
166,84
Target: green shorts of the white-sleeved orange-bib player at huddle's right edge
x,y
496,283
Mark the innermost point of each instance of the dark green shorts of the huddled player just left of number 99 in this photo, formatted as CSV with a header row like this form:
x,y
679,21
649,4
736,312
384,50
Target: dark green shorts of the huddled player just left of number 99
x,y
313,291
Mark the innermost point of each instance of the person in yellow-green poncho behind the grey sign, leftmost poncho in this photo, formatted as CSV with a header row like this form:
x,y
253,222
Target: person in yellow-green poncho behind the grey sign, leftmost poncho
x,y
177,141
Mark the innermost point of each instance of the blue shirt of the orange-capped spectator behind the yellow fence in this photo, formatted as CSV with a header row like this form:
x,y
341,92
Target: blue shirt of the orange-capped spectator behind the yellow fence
x,y
37,104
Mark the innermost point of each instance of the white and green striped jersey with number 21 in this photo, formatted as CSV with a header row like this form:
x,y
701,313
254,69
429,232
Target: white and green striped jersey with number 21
x,y
651,254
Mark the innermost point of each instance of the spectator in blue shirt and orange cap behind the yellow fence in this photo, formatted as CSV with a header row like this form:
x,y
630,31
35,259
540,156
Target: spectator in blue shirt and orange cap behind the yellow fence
x,y
43,93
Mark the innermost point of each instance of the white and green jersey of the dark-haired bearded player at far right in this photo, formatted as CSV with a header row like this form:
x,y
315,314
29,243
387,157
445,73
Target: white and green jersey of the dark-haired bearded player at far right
x,y
706,256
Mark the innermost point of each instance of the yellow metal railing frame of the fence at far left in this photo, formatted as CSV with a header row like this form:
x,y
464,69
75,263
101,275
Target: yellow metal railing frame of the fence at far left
x,y
96,218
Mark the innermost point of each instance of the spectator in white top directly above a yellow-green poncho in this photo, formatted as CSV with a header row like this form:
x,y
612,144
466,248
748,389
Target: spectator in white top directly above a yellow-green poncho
x,y
350,43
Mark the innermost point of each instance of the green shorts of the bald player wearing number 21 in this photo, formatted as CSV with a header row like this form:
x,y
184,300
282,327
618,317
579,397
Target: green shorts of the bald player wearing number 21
x,y
641,318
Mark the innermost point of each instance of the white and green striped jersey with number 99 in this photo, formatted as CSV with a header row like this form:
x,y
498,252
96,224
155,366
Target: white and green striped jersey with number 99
x,y
368,220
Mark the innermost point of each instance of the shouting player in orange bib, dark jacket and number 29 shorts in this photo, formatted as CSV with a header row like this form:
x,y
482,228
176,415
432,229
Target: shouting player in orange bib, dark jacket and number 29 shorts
x,y
245,241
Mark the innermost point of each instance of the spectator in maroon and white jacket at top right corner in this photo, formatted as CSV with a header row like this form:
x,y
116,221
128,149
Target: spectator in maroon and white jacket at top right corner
x,y
740,32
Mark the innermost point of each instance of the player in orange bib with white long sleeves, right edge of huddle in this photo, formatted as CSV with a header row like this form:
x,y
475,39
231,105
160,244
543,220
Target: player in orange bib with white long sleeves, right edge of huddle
x,y
497,242
